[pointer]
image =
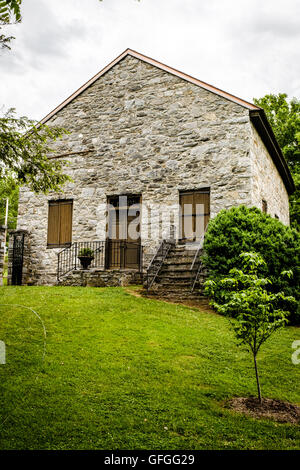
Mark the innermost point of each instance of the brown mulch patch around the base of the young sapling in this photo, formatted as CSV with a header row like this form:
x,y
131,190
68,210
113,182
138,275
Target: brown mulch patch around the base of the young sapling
x,y
277,410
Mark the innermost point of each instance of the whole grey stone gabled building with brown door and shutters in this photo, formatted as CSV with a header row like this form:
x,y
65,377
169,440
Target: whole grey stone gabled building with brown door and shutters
x,y
147,138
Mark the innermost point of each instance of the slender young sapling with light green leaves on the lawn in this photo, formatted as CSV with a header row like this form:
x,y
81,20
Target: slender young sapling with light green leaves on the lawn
x,y
257,312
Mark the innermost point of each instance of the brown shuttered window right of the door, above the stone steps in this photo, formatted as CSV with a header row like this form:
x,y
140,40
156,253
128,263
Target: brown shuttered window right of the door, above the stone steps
x,y
195,212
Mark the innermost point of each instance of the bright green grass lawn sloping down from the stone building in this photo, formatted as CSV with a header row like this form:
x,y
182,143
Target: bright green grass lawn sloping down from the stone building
x,y
122,372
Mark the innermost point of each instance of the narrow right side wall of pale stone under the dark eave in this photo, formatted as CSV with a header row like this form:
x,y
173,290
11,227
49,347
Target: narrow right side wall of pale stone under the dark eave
x,y
267,183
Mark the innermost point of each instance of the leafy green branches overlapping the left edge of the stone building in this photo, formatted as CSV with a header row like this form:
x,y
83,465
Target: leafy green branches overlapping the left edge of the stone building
x,y
24,151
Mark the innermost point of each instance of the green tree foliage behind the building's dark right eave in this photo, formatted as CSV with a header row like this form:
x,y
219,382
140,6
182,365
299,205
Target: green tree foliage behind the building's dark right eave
x,y
284,117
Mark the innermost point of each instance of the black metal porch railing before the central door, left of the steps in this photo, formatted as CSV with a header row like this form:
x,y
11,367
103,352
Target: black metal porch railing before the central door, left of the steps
x,y
109,254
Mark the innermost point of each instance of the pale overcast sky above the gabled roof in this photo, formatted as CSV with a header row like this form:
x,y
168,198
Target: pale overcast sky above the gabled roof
x,y
246,47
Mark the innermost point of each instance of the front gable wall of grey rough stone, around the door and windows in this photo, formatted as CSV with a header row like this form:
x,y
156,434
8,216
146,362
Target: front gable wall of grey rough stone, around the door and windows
x,y
141,130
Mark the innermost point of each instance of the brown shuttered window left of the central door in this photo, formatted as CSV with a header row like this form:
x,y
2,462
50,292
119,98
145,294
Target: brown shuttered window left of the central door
x,y
59,223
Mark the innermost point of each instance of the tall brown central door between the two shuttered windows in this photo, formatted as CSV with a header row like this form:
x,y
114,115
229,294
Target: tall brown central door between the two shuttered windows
x,y
124,240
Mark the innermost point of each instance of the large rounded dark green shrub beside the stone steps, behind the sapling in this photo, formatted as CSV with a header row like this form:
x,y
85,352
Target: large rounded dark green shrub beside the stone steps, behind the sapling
x,y
241,229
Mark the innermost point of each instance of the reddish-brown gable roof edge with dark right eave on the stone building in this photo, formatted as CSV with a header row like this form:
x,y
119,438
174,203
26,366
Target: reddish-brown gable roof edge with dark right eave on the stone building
x,y
257,114
